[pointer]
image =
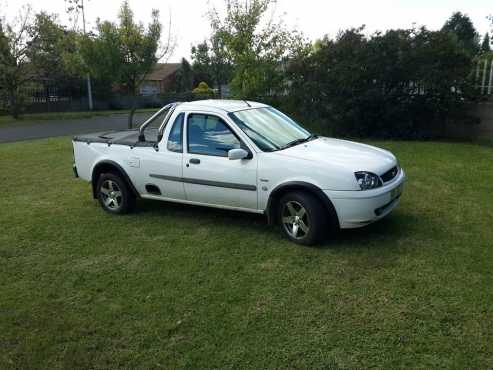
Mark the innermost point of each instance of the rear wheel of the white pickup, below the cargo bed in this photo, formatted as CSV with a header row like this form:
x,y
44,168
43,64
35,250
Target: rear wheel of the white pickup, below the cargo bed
x,y
114,194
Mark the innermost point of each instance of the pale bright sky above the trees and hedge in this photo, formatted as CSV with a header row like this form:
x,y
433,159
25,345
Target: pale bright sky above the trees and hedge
x,y
315,18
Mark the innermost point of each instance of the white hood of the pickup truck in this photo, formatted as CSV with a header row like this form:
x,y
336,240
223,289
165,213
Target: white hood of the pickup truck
x,y
344,154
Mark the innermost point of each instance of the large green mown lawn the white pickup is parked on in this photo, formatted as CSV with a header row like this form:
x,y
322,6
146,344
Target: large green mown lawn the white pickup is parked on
x,y
174,286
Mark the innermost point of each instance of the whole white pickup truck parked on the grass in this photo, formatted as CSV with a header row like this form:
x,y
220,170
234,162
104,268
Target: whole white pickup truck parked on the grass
x,y
242,156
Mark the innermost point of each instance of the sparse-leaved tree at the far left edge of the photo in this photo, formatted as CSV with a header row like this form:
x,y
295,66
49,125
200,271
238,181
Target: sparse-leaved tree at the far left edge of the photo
x,y
15,69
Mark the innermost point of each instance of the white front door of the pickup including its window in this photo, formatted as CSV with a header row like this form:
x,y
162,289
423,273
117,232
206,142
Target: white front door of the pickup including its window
x,y
209,176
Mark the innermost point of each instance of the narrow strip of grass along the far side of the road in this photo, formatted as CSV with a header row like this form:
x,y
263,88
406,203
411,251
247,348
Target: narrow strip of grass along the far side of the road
x,y
48,117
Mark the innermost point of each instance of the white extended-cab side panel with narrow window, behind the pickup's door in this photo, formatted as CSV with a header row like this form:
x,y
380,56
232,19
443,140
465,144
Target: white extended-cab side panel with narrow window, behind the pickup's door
x,y
163,169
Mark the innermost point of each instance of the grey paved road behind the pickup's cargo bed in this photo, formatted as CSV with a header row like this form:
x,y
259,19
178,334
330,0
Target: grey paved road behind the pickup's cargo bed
x,y
18,132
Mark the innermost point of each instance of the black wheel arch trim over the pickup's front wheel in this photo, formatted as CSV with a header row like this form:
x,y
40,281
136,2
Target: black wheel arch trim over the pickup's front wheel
x,y
280,190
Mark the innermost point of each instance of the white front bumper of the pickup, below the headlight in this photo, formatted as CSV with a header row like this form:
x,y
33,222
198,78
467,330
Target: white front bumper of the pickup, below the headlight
x,y
359,208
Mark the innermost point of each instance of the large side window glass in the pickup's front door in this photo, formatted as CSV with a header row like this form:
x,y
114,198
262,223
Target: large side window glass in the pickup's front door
x,y
209,135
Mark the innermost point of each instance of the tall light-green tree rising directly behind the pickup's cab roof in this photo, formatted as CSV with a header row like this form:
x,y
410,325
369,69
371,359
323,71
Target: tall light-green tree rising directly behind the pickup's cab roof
x,y
257,46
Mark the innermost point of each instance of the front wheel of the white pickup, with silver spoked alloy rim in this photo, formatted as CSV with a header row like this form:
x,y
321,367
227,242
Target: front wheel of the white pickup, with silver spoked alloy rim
x,y
312,223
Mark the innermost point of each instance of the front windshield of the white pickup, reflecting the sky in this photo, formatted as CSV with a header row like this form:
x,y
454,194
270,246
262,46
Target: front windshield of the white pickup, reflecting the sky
x,y
270,129
